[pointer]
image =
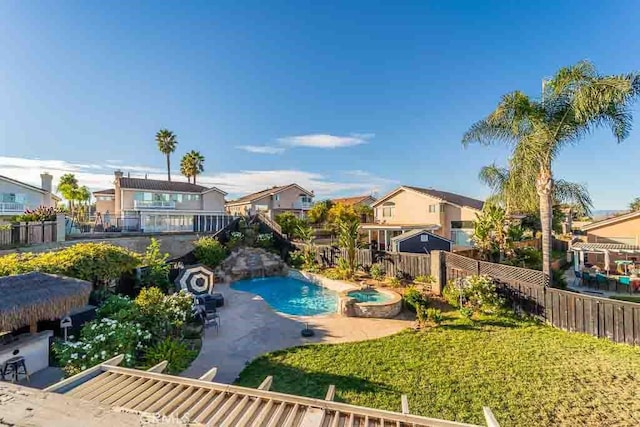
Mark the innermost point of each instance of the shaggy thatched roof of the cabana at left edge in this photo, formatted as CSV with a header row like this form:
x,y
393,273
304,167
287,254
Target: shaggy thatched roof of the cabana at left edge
x,y
28,298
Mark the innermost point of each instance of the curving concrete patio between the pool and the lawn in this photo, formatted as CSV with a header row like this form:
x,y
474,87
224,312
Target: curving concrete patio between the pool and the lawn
x,y
249,328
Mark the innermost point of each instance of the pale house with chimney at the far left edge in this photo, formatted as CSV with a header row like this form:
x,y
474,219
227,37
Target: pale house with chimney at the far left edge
x,y
16,196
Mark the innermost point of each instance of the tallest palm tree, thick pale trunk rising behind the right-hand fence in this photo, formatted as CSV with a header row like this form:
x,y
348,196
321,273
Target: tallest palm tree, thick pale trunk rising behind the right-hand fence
x,y
575,102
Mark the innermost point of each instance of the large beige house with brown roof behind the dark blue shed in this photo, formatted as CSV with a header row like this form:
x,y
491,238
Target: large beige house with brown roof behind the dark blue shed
x,y
410,208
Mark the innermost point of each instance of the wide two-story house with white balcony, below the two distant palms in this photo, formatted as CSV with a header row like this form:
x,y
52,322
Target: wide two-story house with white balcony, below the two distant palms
x,y
152,205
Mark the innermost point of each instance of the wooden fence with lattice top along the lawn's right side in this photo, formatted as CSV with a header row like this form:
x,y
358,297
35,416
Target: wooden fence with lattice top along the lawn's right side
x,y
618,321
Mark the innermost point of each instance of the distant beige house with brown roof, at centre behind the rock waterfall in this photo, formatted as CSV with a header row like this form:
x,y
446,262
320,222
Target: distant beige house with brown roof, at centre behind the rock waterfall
x,y
273,201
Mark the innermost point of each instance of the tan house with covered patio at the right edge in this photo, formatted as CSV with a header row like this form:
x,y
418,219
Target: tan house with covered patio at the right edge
x,y
608,240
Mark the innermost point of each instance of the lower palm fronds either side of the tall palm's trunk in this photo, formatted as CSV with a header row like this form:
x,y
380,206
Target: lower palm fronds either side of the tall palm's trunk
x,y
516,192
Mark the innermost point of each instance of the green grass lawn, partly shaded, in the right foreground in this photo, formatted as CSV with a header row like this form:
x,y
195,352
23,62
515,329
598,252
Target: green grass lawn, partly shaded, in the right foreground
x,y
529,374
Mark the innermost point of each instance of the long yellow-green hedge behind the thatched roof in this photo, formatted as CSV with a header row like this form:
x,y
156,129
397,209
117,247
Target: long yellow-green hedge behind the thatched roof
x,y
94,262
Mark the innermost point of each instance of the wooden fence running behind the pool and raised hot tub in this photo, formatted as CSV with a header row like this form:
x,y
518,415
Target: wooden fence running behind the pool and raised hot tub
x,y
395,264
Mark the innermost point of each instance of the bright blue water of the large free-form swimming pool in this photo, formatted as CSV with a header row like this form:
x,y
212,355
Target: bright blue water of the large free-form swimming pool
x,y
291,296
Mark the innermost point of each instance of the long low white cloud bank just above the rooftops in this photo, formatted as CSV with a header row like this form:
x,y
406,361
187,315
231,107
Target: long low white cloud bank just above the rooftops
x,y
236,183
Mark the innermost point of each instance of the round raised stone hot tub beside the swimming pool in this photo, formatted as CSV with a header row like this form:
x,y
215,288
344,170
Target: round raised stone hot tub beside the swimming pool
x,y
369,302
